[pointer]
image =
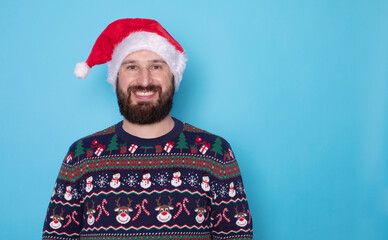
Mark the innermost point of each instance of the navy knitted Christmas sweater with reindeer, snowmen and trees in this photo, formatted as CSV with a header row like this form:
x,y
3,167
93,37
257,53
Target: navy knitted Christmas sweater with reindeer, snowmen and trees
x,y
183,185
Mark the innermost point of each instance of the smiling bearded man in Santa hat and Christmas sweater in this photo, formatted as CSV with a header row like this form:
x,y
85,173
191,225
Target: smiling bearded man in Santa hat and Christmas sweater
x,y
150,176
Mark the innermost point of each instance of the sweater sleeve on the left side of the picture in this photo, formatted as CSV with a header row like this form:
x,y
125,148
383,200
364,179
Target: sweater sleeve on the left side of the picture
x,y
64,214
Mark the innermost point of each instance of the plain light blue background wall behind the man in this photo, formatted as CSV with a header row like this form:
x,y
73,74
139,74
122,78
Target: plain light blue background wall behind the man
x,y
299,88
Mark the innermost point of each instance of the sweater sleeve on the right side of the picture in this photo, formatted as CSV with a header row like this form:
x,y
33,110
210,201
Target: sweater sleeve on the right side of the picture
x,y
230,214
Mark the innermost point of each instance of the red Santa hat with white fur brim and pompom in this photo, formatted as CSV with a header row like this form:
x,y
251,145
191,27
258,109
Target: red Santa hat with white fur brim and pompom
x,y
125,36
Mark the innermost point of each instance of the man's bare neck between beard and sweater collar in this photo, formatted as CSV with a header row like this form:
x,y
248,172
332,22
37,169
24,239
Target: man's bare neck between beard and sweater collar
x,y
152,130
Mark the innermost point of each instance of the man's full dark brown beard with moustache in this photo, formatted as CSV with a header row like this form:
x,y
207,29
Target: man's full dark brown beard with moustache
x,y
145,112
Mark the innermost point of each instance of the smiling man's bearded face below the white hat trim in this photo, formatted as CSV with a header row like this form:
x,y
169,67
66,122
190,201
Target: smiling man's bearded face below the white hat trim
x,y
145,88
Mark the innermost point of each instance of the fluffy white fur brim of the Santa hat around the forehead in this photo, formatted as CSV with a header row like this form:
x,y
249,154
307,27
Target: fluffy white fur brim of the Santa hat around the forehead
x,y
137,41
